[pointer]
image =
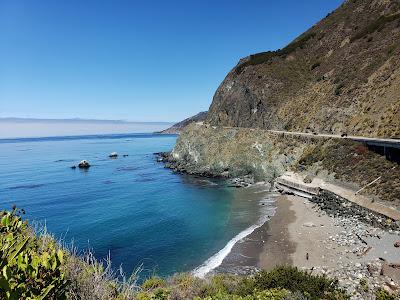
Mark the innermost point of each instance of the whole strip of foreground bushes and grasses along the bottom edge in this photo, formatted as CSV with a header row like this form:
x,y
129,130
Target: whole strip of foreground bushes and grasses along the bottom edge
x,y
37,267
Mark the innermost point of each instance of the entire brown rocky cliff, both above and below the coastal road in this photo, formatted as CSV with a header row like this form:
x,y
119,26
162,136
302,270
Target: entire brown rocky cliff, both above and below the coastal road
x,y
342,75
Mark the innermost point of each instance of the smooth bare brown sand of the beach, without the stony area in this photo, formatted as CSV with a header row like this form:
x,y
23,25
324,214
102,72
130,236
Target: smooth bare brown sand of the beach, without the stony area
x,y
296,236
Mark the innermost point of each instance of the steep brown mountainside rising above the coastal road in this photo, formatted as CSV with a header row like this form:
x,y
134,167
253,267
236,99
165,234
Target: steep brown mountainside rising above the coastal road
x,y
342,75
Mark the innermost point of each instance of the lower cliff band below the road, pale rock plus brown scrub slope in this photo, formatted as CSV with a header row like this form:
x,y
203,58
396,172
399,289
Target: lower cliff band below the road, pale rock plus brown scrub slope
x,y
233,152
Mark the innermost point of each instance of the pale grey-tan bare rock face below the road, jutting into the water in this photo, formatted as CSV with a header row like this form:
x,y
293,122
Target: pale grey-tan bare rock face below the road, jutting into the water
x,y
214,151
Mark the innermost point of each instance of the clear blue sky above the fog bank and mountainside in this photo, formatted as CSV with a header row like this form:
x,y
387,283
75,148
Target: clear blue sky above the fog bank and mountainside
x,y
134,60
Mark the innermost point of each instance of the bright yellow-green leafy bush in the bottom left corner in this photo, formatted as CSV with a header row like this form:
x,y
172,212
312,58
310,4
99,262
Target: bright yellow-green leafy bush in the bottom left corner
x,y
27,271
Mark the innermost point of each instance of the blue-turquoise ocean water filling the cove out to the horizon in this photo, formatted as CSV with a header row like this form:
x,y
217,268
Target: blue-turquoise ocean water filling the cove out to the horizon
x,y
131,207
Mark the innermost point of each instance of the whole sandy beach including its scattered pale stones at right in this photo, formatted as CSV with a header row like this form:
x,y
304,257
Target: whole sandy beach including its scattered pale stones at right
x,y
302,235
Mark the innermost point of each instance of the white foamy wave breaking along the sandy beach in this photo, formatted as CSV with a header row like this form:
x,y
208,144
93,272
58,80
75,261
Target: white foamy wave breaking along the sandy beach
x,y
217,259
